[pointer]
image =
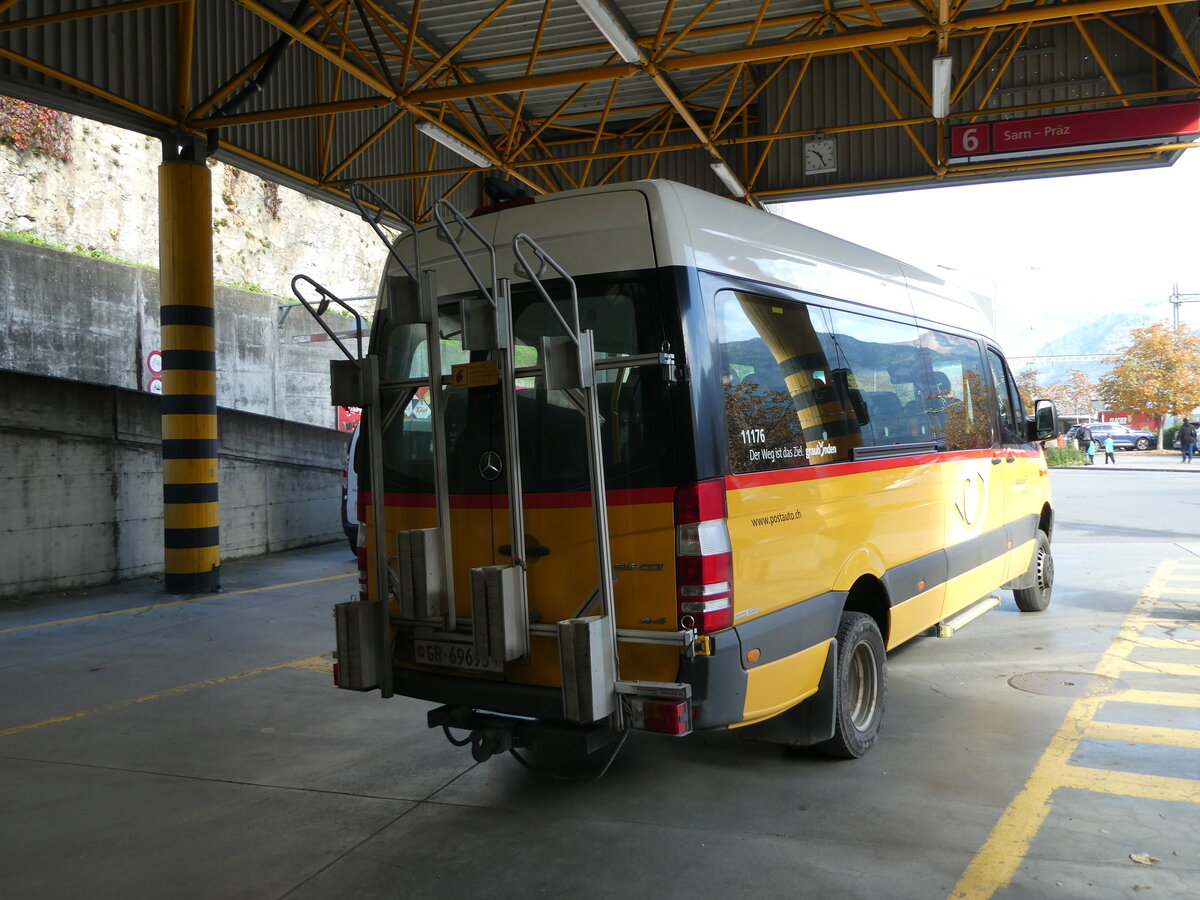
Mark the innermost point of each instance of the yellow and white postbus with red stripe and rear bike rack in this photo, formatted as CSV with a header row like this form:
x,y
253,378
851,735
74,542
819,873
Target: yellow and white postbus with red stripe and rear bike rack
x,y
686,466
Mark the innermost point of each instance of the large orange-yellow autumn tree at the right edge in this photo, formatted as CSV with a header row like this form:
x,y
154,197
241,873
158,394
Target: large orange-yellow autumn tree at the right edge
x,y
1156,374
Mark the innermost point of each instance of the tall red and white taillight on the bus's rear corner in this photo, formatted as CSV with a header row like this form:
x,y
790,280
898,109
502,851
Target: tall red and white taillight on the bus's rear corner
x,y
704,557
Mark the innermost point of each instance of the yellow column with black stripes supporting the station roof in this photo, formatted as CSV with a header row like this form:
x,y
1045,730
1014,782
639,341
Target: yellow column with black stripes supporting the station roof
x,y
190,512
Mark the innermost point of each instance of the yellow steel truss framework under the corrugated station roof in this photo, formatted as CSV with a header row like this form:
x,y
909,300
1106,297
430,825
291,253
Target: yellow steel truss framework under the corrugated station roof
x,y
397,67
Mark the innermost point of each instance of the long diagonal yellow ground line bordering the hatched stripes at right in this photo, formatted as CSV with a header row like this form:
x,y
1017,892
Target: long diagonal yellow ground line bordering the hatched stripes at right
x,y
997,863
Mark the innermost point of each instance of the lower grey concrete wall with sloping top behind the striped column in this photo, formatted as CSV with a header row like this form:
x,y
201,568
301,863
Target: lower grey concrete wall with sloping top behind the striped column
x,y
82,487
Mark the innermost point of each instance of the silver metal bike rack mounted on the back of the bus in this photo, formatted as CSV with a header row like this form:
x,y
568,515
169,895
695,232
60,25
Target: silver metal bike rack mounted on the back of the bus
x,y
422,578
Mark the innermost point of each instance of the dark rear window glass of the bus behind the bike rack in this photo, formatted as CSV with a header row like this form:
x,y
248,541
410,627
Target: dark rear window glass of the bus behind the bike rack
x,y
625,316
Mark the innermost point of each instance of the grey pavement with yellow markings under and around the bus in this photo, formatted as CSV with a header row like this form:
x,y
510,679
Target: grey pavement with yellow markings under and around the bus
x,y
196,748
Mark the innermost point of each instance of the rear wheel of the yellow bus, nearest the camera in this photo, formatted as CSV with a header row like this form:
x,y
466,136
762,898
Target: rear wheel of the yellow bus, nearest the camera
x,y
862,688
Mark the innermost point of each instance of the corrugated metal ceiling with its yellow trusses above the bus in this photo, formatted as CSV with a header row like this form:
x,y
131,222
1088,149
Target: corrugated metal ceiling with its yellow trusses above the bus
x,y
320,94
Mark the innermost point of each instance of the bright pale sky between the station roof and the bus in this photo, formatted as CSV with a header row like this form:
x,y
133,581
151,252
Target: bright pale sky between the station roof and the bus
x,y
1053,251
